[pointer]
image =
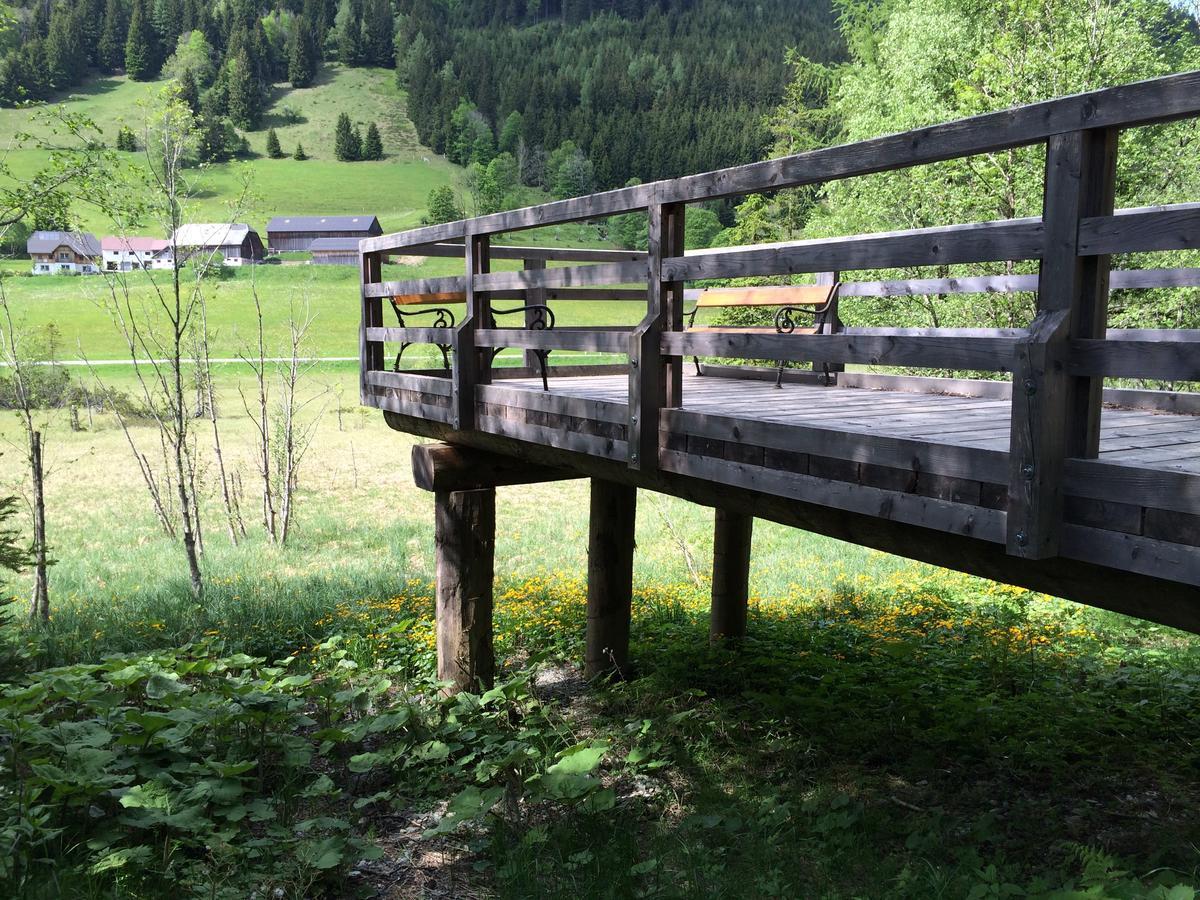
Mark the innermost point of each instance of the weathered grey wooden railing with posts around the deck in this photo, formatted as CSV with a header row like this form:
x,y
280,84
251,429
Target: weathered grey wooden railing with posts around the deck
x,y
1058,364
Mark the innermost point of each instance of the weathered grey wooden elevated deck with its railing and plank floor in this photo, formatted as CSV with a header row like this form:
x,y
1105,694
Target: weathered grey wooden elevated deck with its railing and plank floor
x,y
1049,477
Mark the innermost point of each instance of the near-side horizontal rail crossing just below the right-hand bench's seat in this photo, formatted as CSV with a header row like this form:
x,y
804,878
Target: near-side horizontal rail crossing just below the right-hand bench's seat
x,y
993,355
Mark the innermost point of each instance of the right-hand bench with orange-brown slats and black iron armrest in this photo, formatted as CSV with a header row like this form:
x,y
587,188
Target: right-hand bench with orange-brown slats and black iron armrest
x,y
820,302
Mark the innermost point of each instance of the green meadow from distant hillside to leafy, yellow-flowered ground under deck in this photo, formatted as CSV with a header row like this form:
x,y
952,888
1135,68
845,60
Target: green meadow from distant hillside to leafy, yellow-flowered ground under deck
x,y
887,730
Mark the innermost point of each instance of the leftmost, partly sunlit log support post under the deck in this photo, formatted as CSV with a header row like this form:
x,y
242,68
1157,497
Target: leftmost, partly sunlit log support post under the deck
x,y
465,535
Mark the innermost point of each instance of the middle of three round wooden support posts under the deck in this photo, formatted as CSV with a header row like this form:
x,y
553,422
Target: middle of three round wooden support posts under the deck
x,y
610,578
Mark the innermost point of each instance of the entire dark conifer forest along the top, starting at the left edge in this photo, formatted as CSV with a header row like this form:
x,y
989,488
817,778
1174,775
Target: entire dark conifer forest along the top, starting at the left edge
x,y
581,94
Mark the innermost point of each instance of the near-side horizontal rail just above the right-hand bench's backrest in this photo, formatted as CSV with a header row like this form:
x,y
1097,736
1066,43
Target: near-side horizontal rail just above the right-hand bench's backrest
x,y
977,243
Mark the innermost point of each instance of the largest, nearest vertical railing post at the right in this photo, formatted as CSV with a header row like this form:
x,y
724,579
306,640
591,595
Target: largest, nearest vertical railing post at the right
x,y
1054,416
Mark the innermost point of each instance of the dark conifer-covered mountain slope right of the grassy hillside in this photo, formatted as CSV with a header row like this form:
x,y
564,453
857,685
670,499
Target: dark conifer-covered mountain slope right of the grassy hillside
x,y
644,88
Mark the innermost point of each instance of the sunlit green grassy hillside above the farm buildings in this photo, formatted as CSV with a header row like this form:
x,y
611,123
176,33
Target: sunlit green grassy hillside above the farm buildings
x,y
394,189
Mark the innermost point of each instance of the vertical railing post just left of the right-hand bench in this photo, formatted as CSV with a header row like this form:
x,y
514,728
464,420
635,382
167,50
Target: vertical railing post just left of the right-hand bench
x,y
655,381
